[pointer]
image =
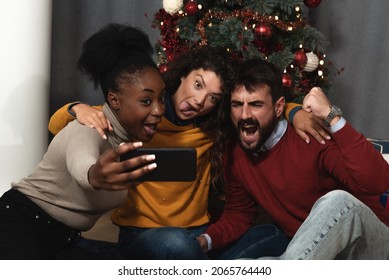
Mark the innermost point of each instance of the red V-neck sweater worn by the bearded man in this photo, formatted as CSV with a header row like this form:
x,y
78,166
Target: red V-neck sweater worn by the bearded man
x,y
288,179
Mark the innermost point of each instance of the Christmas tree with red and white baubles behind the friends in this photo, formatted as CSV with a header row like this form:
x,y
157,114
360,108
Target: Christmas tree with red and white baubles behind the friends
x,y
273,30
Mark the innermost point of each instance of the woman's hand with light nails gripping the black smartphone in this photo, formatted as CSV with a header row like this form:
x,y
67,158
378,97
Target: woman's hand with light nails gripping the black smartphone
x,y
111,174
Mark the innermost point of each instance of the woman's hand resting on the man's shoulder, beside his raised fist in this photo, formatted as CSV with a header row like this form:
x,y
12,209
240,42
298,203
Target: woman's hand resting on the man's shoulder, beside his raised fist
x,y
306,123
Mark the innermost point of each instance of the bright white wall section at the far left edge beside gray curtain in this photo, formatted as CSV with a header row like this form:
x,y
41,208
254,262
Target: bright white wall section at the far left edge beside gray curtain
x,y
25,27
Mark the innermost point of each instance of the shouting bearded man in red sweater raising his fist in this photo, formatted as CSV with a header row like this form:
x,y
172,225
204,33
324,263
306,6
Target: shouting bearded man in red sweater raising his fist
x,y
325,198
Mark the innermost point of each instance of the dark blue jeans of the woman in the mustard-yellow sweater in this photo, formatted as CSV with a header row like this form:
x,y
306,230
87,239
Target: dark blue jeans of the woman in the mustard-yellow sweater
x,y
178,243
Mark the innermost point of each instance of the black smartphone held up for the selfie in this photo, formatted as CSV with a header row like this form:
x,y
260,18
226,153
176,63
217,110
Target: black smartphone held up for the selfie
x,y
173,164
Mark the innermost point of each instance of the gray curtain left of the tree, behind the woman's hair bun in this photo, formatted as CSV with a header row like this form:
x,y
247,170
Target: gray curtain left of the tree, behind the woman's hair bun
x,y
73,22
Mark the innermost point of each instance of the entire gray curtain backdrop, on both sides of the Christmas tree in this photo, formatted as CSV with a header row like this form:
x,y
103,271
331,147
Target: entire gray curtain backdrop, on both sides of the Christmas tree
x,y
356,30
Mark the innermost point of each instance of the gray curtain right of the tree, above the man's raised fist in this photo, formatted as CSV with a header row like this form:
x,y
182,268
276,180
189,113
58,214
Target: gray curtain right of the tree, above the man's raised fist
x,y
359,40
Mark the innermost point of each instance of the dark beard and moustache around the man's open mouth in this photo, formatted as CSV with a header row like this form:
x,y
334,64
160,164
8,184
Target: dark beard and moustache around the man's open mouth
x,y
264,133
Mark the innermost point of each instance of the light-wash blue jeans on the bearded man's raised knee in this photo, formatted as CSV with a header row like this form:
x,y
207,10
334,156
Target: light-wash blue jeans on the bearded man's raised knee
x,y
339,226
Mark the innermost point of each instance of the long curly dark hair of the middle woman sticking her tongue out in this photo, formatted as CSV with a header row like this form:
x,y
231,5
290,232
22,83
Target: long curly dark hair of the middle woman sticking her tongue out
x,y
219,61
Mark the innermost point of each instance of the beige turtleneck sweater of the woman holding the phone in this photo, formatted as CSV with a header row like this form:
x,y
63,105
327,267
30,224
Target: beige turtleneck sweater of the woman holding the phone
x,y
59,184
